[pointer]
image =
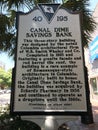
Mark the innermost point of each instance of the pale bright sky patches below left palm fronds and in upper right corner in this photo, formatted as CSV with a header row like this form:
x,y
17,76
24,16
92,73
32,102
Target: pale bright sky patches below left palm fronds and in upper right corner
x,y
8,61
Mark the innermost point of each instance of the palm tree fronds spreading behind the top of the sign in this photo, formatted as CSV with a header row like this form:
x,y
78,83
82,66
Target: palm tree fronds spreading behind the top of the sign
x,y
8,30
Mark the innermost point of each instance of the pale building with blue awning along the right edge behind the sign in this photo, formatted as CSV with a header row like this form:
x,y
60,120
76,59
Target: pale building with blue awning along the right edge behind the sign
x,y
91,59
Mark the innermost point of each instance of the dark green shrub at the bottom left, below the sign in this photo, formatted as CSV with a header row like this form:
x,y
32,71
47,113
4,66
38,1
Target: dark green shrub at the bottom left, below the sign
x,y
9,122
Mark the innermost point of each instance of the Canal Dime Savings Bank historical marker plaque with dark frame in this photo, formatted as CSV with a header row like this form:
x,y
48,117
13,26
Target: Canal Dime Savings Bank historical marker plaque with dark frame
x,y
49,69
